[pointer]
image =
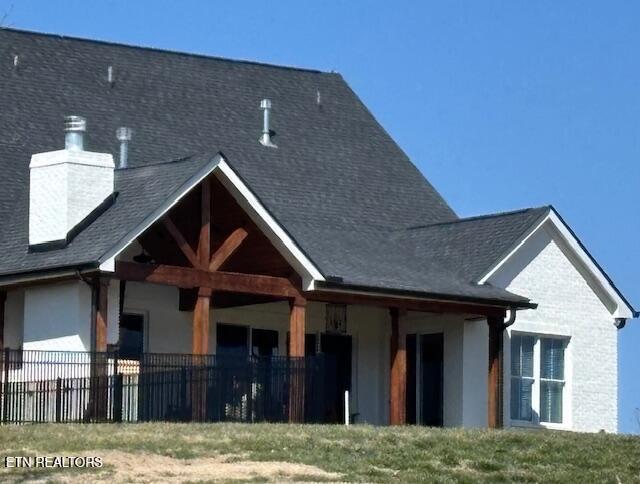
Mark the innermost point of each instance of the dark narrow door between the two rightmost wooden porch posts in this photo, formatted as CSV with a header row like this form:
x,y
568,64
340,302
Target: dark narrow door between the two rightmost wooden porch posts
x,y
432,378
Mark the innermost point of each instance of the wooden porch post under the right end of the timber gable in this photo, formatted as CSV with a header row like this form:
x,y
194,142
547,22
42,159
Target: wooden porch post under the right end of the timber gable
x,y
296,350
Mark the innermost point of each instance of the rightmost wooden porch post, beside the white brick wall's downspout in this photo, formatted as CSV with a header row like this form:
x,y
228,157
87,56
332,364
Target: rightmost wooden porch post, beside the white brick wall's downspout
x,y
495,396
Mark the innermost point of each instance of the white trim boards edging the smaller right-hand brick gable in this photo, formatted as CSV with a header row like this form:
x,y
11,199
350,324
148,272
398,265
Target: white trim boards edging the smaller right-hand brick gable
x,y
578,254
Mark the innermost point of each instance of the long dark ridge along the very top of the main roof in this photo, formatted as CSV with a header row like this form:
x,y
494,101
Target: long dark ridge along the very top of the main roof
x,y
165,51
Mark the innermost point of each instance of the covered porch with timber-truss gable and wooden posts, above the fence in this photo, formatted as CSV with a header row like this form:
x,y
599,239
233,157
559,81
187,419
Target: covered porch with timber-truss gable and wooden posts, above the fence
x,y
228,280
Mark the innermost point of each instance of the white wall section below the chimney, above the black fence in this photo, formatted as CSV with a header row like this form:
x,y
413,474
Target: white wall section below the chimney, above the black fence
x,y
57,317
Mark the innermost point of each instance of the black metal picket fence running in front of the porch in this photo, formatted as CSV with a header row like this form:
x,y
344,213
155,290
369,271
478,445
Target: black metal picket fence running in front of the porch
x,y
61,386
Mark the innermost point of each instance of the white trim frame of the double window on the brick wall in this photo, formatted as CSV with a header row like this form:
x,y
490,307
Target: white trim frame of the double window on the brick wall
x,y
535,393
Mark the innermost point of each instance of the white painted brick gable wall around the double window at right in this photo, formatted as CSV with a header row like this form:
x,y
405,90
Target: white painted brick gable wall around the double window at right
x,y
567,306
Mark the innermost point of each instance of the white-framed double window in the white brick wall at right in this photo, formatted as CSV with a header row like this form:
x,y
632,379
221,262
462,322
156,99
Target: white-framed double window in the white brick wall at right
x,y
537,378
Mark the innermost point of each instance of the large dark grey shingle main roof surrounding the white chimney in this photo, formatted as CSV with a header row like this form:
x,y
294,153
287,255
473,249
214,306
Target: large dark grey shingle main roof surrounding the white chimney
x,y
337,183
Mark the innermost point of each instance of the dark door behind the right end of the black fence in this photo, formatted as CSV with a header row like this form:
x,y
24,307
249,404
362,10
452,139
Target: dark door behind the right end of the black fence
x,y
338,348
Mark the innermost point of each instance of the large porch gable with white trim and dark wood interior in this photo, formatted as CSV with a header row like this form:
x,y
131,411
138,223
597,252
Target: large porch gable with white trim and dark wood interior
x,y
234,205
